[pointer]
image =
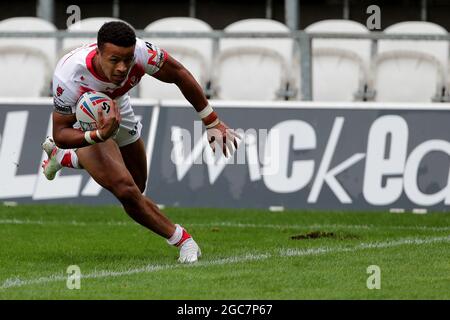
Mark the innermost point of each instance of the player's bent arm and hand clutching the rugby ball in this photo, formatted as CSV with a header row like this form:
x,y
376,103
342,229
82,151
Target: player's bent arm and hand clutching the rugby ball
x,y
66,137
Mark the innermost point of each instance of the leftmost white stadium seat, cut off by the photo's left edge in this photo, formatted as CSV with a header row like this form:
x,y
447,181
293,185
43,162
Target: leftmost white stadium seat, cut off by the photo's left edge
x,y
22,57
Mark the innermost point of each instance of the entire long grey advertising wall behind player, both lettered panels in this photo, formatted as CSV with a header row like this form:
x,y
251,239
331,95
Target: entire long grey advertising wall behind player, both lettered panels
x,y
309,155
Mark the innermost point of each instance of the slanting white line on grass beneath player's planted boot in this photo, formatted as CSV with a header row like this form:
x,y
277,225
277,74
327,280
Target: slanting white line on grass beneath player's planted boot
x,y
17,282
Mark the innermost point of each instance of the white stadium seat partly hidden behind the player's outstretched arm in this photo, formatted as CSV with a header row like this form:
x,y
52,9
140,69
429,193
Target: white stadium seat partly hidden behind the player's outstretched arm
x,y
194,53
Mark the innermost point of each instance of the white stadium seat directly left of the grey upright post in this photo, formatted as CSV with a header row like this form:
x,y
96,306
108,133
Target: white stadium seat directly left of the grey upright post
x,y
253,69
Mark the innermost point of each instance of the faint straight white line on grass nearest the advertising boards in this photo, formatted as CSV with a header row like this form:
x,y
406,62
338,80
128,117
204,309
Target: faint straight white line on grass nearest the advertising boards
x,y
229,224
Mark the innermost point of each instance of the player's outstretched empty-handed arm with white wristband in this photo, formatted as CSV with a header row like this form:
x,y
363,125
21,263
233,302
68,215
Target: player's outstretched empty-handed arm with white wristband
x,y
218,132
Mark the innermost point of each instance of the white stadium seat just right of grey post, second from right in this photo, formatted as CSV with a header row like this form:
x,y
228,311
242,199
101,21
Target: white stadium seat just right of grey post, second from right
x,y
340,66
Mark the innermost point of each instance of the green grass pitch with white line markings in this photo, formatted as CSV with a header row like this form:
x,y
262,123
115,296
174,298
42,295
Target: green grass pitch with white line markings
x,y
247,254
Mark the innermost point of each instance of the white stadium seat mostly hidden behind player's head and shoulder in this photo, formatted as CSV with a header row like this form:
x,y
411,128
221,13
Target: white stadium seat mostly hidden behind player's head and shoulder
x,y
84,25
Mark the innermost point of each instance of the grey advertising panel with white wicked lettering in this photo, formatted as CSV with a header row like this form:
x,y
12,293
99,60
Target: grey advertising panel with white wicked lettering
x,y
338,157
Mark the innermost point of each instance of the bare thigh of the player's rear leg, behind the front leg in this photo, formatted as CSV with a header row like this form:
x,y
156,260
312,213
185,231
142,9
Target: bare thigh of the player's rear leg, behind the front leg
x,y
135,159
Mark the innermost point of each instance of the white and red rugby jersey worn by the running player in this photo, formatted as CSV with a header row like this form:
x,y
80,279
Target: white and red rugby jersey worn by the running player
x,y
75,75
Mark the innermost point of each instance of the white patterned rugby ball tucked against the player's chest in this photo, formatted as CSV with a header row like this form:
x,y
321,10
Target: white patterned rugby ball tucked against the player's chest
x,y
87,109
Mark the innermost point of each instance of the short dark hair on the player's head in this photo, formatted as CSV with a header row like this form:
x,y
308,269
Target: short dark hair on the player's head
x,y
116,32
